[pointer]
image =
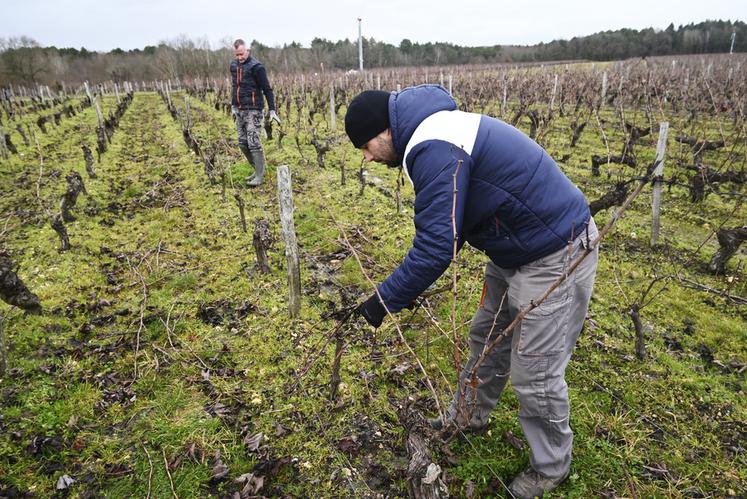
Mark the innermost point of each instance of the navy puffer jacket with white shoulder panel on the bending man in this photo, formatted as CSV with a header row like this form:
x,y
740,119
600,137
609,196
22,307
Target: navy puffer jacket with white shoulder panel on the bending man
x,y
513,202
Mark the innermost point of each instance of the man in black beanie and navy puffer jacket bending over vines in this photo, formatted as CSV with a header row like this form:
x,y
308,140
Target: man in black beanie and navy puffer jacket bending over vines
x,y
507,198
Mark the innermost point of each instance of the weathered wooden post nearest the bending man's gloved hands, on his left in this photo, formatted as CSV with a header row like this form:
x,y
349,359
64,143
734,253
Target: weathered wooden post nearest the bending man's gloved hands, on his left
x,y
285,197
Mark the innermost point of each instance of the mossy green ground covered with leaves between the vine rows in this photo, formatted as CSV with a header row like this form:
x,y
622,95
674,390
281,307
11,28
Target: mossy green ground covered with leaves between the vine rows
x,y
163,351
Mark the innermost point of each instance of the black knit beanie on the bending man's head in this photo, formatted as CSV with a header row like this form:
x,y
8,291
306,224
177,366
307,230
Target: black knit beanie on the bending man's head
x,y
367,116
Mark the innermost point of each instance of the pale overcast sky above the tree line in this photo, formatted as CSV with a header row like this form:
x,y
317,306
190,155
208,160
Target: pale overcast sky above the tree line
x,y
104,25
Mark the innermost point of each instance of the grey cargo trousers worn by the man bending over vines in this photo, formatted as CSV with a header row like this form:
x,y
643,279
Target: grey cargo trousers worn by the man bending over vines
x,y
538,352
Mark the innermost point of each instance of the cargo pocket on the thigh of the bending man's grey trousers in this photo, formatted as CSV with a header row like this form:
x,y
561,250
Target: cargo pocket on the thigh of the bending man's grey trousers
x,y
543,330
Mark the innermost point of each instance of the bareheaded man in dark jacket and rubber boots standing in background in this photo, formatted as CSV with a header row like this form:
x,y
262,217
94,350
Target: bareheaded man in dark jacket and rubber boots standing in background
x,y
249,88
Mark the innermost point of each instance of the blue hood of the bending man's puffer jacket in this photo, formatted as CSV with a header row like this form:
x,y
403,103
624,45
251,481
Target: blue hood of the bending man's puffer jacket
x,y
409,107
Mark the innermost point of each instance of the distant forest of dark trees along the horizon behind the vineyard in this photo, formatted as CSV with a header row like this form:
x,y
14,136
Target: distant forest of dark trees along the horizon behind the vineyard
x,y
24,61
